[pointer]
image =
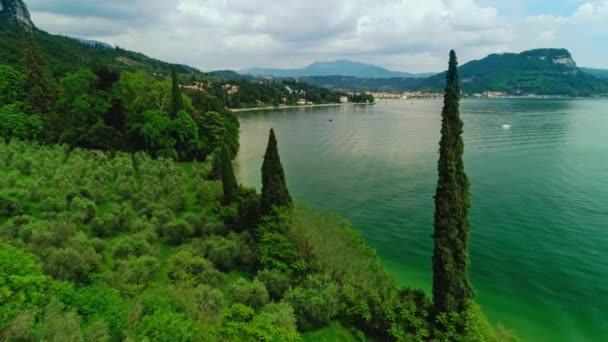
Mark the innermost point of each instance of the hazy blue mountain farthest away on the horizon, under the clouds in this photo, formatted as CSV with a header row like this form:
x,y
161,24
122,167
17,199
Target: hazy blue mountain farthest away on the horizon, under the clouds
x,y
334,68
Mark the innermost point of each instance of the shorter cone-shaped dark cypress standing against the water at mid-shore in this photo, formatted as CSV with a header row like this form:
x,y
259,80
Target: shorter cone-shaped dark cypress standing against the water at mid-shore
x,y
274,187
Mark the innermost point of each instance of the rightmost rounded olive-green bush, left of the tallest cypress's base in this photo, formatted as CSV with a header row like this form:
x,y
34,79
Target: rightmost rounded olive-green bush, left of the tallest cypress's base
x,y
315,303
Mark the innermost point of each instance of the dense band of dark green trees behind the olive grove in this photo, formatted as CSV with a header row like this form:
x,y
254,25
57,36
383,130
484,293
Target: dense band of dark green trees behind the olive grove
x,y
100,108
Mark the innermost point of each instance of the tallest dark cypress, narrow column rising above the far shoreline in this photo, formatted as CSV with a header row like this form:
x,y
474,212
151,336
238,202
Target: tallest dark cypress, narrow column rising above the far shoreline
x,y
451,286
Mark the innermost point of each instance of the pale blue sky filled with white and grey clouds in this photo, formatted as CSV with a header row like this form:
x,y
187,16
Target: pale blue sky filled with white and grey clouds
x,y
402,35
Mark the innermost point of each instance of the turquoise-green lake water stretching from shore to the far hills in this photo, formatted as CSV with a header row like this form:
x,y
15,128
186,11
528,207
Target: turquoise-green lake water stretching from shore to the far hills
x,y
539,213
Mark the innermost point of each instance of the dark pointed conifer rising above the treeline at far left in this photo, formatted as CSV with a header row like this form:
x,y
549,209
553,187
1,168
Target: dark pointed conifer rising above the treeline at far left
x,y
38,82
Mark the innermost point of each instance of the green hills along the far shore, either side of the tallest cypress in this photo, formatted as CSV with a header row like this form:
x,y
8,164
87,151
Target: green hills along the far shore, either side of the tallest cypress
x,y
540,71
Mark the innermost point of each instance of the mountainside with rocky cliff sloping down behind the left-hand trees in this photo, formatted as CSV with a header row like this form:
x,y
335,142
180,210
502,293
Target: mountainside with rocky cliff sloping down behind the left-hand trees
x,y
67,54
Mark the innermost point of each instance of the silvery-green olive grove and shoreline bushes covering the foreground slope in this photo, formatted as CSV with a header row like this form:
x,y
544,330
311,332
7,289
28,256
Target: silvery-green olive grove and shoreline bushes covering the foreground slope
x,y
134,248
